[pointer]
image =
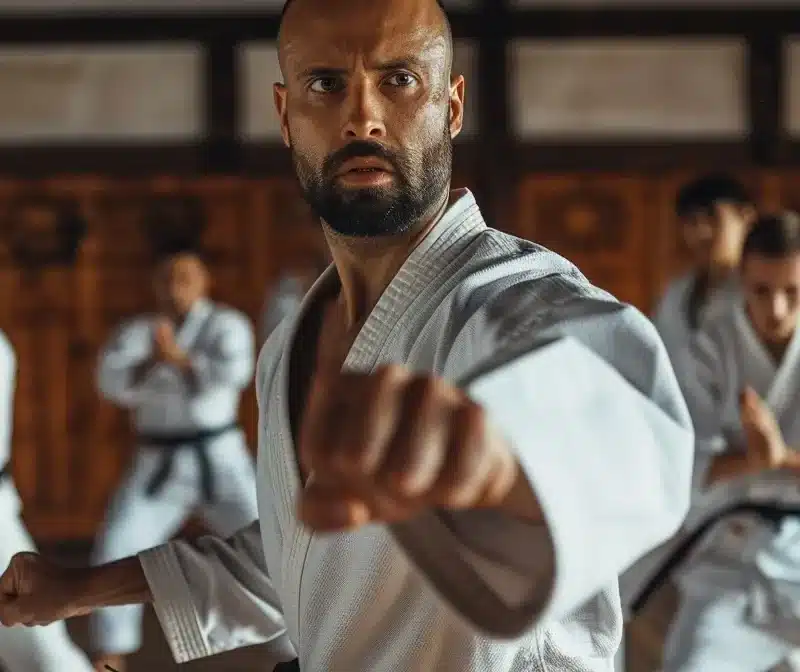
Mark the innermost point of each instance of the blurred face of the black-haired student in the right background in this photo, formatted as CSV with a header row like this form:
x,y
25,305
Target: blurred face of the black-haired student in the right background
x,y
715,237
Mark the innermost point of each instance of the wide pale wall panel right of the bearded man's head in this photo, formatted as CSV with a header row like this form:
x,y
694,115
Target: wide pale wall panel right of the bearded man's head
x,y
629,88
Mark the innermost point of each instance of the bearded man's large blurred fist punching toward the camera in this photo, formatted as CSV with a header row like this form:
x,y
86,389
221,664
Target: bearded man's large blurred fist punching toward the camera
x,y
383,447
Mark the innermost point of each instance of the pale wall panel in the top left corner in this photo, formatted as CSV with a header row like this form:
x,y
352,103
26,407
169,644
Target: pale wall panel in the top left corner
x,y
148,93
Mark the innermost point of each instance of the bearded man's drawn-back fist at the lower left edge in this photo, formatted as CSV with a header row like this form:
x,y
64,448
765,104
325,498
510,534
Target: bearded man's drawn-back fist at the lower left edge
x,y
34,591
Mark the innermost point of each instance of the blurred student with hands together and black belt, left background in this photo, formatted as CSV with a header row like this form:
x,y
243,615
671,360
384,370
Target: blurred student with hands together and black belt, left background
x,y
180,372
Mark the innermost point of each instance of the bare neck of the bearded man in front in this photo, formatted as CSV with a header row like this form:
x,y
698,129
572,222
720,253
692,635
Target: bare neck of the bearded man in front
x,y
366,266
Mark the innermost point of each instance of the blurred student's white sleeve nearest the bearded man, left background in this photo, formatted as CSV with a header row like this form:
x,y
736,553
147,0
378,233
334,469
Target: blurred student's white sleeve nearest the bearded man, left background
x,y
230,360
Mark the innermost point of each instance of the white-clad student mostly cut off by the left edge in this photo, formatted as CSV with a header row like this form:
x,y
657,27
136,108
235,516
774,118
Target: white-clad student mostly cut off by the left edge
x,y
48,648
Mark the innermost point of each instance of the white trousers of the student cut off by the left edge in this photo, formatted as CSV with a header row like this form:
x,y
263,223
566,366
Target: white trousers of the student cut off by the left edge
x,y
37,649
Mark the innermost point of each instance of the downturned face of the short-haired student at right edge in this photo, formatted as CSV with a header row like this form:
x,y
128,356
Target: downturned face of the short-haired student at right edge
x,y
772,295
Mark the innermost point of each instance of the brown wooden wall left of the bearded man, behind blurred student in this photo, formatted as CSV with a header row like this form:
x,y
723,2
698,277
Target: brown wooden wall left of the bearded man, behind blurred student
x,y
70,448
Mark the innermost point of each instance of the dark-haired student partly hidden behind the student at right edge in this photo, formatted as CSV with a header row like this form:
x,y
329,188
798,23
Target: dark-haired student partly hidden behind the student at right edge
x,y
715,212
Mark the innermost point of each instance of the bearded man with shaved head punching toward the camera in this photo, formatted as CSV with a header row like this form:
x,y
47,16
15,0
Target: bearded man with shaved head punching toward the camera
x,y
438,424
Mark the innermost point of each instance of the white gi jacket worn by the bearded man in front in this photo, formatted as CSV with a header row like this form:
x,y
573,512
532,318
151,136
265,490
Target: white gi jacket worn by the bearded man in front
x,y
582,387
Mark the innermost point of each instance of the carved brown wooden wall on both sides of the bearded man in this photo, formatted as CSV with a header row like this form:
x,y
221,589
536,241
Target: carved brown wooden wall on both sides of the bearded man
x,y
70,448
